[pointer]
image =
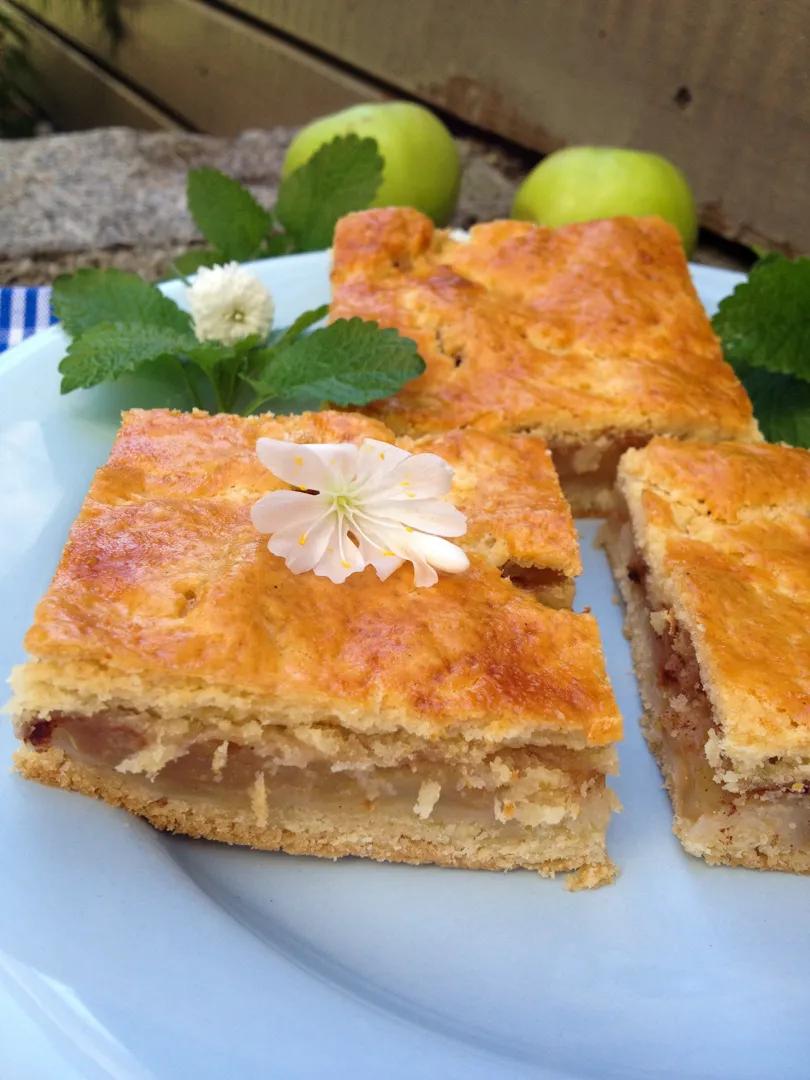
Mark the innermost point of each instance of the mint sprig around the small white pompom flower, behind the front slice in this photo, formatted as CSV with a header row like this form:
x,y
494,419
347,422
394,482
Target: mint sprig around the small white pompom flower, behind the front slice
x,y
123,326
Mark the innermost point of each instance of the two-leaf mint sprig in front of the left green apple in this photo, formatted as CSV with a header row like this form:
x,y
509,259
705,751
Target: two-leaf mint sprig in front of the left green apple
x,y
343,177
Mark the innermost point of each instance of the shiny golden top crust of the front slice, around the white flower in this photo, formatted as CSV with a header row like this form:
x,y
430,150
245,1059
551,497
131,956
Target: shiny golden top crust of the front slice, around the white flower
x,y
165,580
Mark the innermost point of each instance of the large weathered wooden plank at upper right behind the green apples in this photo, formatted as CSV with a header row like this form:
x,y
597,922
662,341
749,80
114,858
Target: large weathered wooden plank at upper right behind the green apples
x,y
721,88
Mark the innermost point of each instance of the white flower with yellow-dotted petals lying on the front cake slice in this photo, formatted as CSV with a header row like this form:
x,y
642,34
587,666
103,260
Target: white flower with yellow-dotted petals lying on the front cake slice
x,y
376,505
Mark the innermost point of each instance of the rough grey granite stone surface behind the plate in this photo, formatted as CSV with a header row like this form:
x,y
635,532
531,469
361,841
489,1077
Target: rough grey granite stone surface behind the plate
x,y
116,197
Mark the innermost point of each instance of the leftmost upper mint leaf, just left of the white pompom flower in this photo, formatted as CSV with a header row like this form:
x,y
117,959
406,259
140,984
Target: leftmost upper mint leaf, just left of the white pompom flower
x,y
89,298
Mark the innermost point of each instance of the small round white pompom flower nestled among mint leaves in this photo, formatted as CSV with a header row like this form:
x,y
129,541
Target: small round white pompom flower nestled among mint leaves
x,y
228,304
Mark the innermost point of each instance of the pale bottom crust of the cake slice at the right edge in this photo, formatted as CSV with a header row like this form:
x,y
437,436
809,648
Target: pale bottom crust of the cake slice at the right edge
x,y
733,835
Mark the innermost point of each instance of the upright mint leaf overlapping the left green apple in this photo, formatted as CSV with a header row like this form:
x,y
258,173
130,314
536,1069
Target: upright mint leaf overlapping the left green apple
x,y
344,175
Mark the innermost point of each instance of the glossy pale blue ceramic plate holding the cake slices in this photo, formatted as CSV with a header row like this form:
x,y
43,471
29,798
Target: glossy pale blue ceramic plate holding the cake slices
x,y
125,953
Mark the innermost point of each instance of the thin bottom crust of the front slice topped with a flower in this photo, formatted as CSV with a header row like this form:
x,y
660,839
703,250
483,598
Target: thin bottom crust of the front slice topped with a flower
x,y
303,832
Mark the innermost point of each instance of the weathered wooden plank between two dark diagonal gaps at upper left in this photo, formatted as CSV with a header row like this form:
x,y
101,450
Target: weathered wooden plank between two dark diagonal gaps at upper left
x,y
217,72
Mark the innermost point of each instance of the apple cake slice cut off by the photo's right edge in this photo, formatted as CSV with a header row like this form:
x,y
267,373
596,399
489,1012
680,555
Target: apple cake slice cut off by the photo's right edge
x,y
711,547
